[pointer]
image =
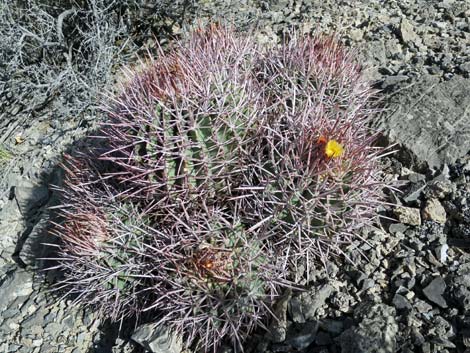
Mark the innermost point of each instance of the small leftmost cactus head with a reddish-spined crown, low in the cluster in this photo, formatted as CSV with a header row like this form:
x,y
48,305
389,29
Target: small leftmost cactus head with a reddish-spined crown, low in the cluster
x,y
100,241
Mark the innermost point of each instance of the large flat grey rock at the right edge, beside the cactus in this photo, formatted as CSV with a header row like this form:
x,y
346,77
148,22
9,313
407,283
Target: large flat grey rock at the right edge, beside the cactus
x,y
430,121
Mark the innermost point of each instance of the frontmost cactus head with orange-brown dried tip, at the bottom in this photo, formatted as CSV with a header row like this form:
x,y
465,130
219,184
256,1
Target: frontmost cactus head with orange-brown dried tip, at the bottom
x,y
219,282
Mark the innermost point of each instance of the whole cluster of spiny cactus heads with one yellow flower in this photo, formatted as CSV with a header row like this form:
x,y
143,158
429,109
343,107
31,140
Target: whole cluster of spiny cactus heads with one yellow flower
x,y
223,165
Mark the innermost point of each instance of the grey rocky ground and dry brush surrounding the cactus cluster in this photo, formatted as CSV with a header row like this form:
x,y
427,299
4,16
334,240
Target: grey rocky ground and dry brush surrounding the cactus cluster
x,y
409,289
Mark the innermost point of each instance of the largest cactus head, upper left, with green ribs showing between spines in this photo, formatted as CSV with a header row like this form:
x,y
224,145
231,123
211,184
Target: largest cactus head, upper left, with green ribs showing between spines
x,y
178,130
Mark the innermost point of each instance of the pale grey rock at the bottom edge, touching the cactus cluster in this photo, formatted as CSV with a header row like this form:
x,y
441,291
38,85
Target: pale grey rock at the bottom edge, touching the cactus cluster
x,y
157,339
